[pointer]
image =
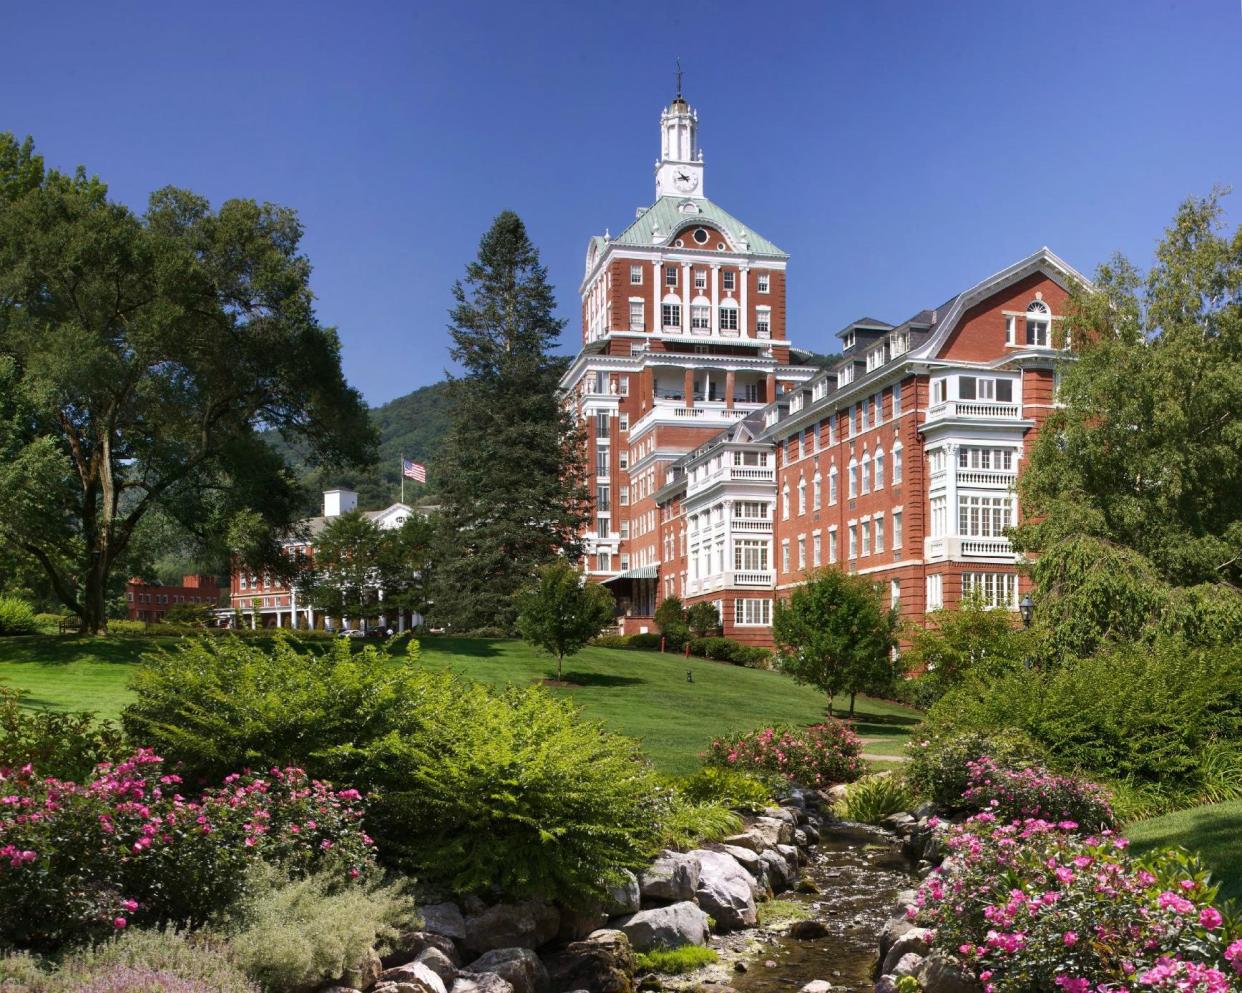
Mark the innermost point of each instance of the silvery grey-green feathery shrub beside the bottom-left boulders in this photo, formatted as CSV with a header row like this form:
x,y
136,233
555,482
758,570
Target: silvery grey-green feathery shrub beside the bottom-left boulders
x,y
296,934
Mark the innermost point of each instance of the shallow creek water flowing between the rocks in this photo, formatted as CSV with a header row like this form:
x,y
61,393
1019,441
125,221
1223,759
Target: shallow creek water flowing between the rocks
x,y
860,872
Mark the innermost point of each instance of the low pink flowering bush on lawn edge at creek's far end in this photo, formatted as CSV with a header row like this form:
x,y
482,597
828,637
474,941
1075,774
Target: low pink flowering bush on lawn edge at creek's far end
x,y
820,755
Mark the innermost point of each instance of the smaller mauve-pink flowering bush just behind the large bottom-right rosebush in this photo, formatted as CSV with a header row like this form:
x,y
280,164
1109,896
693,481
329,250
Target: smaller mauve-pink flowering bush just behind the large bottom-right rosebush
x,y
1034,793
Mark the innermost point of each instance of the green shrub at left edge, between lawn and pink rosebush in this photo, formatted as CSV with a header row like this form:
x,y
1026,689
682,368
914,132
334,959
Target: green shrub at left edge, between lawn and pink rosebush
x,y
66,747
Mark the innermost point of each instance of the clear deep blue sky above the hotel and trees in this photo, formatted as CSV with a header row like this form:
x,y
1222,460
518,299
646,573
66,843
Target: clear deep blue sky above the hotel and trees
x,y
899,151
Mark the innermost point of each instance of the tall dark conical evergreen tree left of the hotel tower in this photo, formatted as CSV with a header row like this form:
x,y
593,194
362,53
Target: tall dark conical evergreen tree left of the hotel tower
x,y
512,476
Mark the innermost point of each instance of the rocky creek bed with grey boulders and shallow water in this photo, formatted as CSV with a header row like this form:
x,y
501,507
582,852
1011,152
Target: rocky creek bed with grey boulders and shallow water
x,y
836,883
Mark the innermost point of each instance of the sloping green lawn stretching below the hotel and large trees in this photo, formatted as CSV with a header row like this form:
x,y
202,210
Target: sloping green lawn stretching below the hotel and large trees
x,y
643,694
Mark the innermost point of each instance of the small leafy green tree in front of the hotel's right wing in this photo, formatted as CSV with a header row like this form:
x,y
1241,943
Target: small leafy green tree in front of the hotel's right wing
x,y
836,634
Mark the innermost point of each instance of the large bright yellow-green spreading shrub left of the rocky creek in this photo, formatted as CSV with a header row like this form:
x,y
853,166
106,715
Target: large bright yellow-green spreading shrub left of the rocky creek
x,y
478,789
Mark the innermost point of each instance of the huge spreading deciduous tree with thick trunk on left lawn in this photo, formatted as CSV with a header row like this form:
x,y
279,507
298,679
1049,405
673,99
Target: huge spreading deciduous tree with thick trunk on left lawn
x,y
146,354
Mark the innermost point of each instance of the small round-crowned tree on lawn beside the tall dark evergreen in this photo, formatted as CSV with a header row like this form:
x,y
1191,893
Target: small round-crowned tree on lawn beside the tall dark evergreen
x,y
561,613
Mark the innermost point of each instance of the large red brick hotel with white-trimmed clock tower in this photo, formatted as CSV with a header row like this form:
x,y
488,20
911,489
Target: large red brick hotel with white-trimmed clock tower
x,y
725,470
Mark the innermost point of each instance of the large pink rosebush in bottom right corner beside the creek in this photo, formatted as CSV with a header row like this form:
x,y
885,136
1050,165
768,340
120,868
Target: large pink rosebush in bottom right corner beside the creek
x,y
1033,907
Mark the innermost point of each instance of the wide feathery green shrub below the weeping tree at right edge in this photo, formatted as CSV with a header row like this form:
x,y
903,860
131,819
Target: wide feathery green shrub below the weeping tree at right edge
x,y
1146,716
